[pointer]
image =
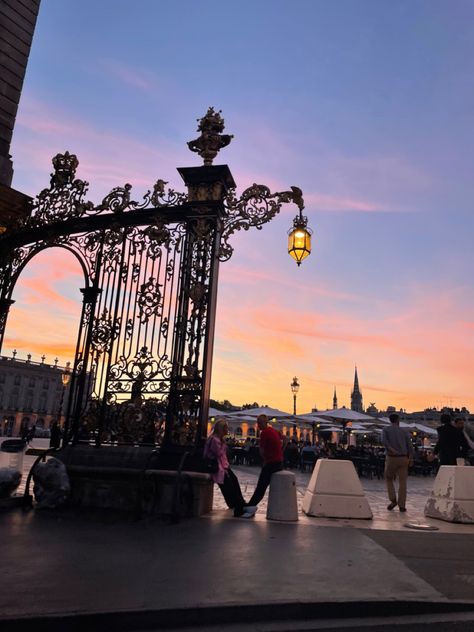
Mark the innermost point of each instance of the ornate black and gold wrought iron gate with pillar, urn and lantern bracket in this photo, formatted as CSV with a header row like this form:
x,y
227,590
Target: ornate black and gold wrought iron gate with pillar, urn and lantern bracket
x,y
145,339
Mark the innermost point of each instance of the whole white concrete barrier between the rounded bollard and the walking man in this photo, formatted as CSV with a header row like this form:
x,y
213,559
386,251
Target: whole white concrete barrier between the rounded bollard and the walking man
x,y
335,491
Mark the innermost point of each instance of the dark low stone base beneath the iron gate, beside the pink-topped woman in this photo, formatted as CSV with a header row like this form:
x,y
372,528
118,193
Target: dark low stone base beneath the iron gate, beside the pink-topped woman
x,y
129,479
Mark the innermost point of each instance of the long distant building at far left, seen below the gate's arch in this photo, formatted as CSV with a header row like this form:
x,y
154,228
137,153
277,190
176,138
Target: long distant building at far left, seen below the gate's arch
x,y
31,393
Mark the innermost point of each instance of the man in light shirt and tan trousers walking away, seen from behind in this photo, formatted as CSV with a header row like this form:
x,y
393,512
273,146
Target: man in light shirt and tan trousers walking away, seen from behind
x,y
398,457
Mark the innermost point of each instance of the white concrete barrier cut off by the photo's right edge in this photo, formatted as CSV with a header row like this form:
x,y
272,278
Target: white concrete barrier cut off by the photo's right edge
x,y
452,498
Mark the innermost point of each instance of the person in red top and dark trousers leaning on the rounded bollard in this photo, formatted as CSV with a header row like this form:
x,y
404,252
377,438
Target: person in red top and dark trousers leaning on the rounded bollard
x,y
271,449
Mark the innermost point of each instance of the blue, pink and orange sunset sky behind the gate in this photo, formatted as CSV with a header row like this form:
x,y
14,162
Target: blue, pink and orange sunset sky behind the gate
x,y
366,105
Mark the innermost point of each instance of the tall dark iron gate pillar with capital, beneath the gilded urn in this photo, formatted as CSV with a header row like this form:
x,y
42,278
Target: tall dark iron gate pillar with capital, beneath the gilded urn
x,y
188,404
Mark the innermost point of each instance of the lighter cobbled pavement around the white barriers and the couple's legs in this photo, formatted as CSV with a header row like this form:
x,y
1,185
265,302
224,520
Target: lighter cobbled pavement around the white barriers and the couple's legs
x,y
419,489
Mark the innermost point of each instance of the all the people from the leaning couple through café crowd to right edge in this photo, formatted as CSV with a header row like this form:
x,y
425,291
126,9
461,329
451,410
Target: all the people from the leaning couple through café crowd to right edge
x,y
394,459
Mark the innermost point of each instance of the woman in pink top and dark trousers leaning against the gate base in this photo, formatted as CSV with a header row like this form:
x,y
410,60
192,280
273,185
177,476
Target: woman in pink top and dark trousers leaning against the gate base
x,y
226,479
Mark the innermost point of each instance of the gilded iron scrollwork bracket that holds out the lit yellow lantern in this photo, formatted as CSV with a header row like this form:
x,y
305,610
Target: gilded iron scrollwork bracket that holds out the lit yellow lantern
x,y
256,206
